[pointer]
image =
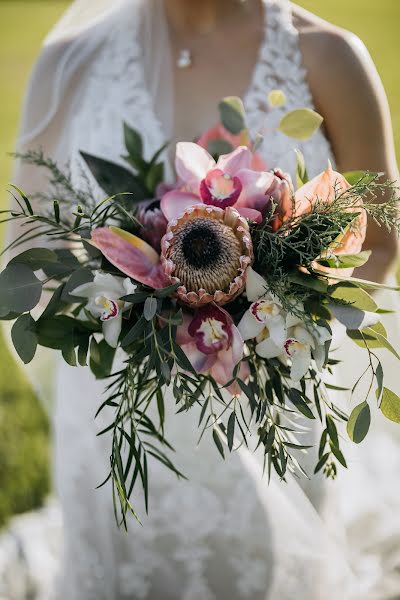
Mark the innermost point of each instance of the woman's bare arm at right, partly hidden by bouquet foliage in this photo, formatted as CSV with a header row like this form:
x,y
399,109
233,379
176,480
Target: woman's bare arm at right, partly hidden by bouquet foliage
x,y
348,92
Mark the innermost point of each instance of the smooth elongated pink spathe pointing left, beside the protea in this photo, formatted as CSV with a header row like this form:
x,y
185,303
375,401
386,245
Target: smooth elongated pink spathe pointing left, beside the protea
x,y
129,259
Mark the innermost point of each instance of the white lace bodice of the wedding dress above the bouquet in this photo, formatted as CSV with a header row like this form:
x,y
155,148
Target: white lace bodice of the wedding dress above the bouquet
x,y
115,90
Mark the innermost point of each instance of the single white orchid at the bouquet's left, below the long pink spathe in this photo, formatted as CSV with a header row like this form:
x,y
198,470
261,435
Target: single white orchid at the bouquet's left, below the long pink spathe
x,y
104,295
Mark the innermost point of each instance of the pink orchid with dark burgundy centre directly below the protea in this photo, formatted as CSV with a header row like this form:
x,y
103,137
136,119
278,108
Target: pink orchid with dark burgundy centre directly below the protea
x,y
213,344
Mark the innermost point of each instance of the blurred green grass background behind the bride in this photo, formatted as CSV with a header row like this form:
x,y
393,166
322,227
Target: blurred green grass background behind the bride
x,y
24,449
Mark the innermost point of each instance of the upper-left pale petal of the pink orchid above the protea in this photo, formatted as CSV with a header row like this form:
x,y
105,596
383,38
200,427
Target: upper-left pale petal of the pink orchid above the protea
x,y
192,163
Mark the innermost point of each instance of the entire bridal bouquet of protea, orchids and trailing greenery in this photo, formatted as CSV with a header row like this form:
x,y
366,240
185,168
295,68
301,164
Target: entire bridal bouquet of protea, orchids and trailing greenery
x,y
221,286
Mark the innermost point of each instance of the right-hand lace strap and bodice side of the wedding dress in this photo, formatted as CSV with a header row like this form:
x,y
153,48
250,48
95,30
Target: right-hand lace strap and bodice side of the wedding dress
x,y
280,66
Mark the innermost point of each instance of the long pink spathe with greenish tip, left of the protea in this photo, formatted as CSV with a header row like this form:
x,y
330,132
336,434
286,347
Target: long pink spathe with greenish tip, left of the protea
x,y
130,255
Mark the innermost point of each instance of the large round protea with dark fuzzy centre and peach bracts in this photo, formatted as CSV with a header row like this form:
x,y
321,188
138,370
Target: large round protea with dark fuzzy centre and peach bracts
x,y
207,250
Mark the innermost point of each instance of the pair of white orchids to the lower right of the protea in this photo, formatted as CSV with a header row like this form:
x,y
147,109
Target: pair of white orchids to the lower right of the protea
x,y
278,333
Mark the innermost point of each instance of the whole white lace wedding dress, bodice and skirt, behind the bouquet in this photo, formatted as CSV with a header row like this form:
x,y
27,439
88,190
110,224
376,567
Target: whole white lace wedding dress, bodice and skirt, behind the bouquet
x,y
219,535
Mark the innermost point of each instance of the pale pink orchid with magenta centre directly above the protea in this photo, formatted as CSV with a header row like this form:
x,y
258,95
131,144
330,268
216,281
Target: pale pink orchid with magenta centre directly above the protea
x,y
228,182
